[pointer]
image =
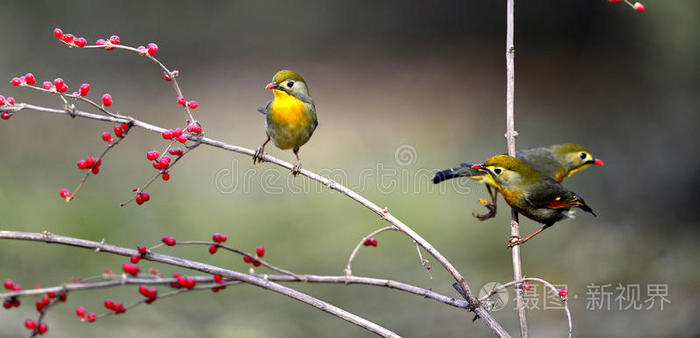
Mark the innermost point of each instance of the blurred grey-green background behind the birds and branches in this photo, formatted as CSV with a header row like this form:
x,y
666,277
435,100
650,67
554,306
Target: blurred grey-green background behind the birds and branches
x,y
425,78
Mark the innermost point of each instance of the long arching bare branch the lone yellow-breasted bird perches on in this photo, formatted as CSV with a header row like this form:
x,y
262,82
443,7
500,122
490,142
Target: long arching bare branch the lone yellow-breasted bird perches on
x,y
382,212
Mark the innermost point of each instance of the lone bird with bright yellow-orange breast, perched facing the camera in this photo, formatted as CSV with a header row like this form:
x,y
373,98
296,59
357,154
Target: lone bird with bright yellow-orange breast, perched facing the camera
x,y
290,115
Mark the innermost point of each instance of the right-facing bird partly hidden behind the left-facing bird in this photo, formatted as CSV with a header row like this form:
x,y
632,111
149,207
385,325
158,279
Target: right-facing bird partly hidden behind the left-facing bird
x,y
558,162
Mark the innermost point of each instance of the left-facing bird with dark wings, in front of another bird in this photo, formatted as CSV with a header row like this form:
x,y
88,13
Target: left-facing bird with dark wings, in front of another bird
x,y
529,192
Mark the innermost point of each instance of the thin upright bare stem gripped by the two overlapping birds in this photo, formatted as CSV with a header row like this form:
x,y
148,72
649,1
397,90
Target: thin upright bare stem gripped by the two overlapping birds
x,y
510,138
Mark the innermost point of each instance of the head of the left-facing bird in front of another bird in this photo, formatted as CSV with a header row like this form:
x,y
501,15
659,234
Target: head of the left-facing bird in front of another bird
x,y
504,171
